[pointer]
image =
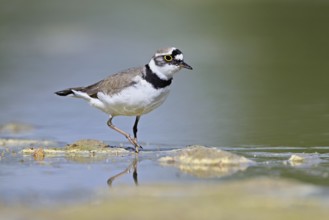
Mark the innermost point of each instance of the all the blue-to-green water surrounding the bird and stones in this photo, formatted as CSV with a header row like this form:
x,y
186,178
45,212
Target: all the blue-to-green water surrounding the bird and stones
x,y
259,88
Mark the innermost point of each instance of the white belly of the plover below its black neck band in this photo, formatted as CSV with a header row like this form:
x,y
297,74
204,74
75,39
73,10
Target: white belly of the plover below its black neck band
x,y
134,100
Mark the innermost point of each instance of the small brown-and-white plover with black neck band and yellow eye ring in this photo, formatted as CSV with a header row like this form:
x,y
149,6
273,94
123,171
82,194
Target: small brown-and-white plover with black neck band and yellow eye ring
x,y
135,91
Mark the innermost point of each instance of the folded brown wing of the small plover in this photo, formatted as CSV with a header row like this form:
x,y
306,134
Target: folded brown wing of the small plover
x,y
114,83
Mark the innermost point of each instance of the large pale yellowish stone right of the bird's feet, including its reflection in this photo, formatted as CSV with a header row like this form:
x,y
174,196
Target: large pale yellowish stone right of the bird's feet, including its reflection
x,y
204,161
